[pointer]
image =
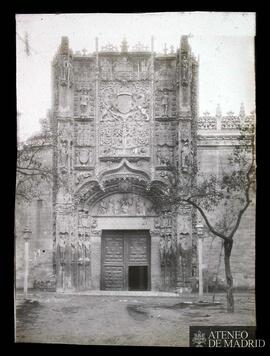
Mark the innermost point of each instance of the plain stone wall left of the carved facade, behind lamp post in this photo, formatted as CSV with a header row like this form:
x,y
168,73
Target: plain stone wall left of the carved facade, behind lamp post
x,y
37,216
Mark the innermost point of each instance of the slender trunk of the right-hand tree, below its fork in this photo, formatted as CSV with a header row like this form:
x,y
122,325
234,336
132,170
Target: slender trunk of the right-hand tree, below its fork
x,y
229,279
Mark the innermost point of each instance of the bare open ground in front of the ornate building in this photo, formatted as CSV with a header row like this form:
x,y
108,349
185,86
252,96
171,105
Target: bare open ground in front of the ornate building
x,y
112,320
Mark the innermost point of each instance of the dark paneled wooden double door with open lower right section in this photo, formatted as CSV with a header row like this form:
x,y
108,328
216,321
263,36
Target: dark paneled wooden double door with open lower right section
x,y
125,260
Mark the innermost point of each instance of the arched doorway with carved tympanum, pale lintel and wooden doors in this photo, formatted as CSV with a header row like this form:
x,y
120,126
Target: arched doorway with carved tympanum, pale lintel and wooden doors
x,y
122,225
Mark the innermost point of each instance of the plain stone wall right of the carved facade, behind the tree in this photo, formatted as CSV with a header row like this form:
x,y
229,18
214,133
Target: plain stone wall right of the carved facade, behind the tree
x,y
214,160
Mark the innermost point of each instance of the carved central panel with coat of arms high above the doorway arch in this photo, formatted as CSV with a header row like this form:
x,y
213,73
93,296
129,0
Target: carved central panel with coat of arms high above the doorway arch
x,y
124,120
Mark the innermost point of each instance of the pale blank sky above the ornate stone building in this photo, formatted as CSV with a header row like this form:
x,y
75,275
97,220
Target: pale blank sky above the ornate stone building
x,y
223,42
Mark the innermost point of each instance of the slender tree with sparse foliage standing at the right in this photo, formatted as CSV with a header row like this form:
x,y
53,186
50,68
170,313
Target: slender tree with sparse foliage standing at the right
x,y
229,194
